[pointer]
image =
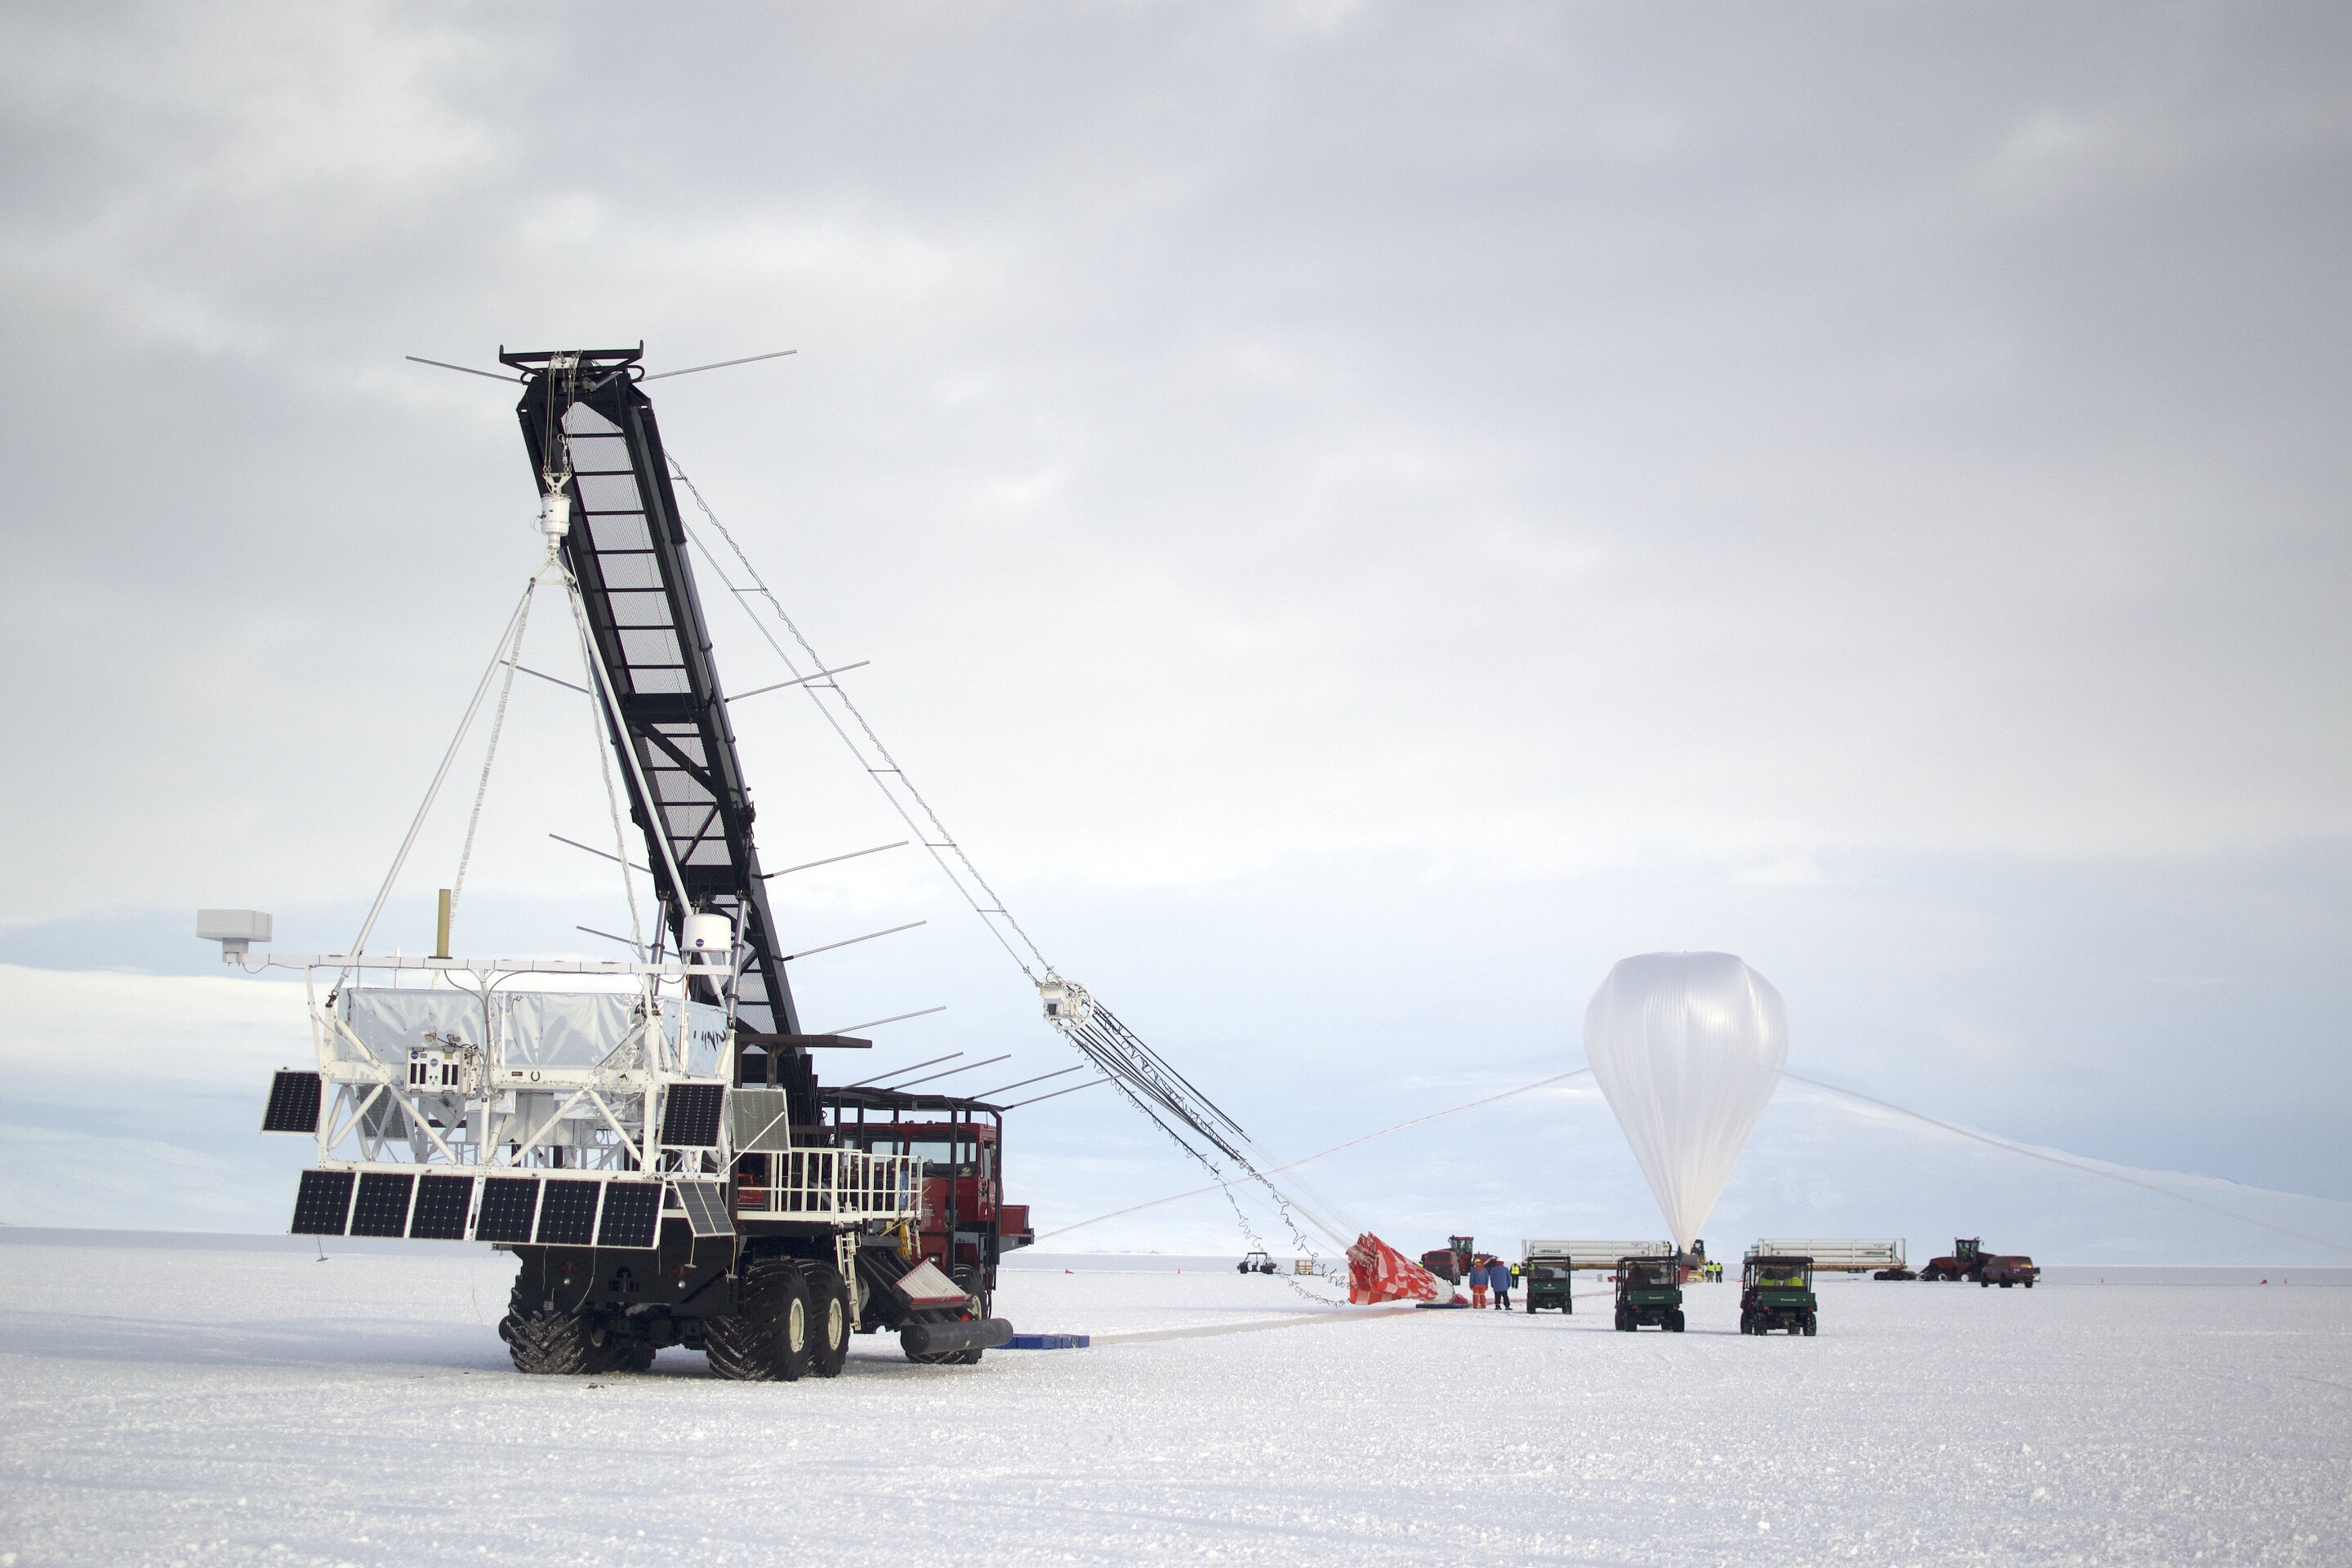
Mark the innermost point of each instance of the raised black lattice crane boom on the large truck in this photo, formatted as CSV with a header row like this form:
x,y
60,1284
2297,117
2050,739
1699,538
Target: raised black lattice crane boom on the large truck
x,y
594,443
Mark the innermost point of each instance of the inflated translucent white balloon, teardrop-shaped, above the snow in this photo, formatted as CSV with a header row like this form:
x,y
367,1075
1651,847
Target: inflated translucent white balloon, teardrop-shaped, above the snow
x,y
1688,1047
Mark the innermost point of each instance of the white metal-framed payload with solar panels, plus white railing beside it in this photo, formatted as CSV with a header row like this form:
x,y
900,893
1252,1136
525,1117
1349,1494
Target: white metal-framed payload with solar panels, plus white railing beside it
x,y
587,1134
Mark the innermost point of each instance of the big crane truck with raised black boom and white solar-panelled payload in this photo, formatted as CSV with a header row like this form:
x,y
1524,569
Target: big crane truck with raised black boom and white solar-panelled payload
x,y
650,1137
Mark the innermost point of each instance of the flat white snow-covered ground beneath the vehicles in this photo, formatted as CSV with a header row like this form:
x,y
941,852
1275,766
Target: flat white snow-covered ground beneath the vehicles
x,y
208,1400
